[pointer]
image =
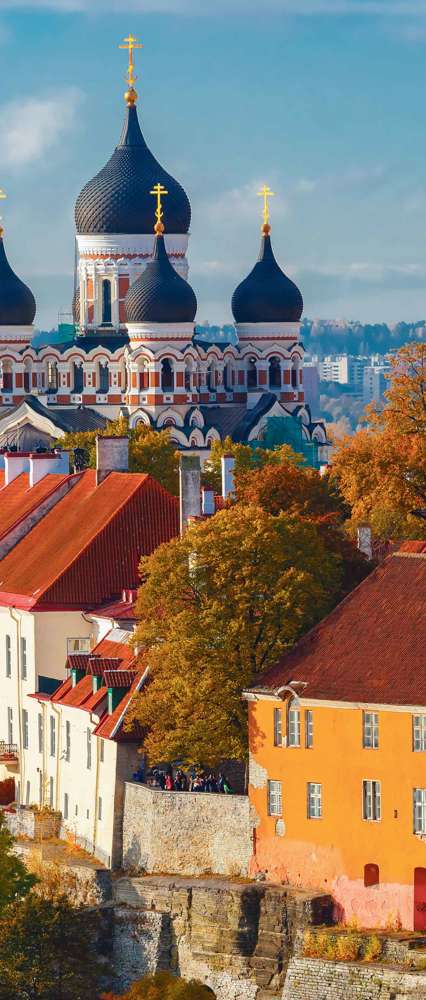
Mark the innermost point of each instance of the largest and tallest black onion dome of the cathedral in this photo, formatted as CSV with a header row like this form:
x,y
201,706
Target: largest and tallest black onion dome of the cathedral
x,y
117,200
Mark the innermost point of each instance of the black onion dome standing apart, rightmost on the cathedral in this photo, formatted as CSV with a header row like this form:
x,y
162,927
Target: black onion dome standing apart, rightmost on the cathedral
x,y
267,295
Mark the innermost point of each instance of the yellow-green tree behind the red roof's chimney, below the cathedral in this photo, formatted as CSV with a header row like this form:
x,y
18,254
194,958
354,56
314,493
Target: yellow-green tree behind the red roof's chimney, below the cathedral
x,y
150,451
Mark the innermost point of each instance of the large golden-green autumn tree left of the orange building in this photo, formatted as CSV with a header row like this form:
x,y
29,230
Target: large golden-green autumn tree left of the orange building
x,y
217,607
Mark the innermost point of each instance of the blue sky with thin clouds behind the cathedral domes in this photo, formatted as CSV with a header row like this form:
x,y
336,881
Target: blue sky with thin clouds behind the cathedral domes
x,y
324,100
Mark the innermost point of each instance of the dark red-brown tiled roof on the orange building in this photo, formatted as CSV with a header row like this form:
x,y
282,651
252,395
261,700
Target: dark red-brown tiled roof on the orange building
x,y
371,648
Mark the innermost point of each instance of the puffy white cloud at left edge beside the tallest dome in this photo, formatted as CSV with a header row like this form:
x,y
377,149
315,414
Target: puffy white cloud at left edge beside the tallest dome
x,y
30,129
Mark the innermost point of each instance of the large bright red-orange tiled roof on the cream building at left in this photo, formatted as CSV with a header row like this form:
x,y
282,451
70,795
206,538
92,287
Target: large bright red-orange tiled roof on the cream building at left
x,y
89,546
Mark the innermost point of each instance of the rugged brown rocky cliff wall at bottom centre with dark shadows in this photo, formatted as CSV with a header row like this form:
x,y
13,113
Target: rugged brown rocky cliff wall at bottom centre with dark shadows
x,y
235,937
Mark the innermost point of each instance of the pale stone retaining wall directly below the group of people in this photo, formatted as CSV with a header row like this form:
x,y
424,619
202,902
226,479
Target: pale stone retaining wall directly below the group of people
x,y
189,833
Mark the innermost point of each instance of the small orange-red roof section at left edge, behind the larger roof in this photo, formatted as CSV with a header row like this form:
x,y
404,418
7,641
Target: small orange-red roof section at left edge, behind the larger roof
x,y
19,499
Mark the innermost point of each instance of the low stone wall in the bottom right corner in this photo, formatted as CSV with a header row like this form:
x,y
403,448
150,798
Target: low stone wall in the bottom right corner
x,y
313,979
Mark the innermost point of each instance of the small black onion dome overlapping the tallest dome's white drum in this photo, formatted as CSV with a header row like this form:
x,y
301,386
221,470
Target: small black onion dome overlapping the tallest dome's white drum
x,y
160,295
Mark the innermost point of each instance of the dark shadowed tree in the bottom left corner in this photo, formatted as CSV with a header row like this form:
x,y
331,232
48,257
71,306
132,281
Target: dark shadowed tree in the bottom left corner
x,y
48,951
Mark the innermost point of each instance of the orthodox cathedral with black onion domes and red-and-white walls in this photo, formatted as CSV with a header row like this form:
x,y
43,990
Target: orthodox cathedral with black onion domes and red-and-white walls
x,y
134,350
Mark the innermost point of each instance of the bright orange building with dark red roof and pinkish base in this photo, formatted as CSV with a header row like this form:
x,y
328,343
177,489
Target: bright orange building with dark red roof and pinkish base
x,y
338,752
